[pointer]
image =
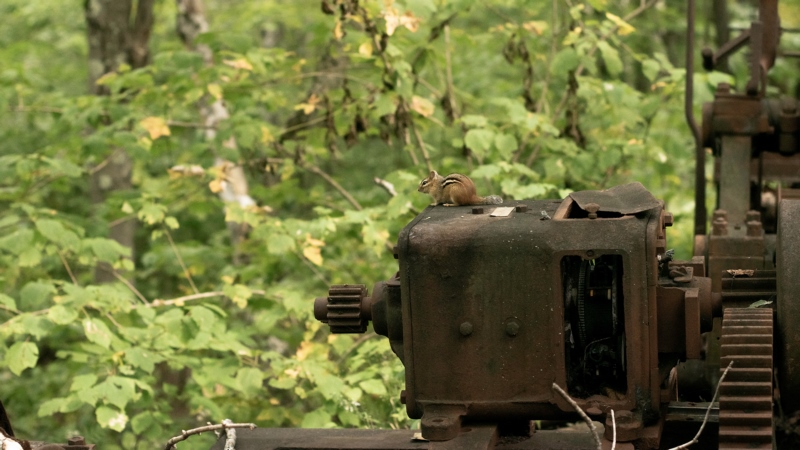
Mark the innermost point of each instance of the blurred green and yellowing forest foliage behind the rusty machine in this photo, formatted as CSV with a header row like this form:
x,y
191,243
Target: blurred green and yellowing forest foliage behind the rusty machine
x,y
178,181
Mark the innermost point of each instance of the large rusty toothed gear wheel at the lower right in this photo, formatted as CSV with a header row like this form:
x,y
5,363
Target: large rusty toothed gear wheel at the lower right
x,y
745,403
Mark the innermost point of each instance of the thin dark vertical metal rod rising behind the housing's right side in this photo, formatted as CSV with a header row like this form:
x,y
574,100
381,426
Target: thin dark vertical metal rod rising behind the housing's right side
x,y
699,151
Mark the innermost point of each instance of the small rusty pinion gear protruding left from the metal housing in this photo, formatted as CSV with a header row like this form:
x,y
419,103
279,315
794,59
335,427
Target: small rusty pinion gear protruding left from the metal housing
x,y
346,309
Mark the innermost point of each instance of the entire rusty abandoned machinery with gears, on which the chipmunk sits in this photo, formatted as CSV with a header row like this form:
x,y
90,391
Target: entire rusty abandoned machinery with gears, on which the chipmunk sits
x,y
491,306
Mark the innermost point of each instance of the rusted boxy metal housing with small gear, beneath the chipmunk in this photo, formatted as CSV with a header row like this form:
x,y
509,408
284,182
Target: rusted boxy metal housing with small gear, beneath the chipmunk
x,y
491,307
